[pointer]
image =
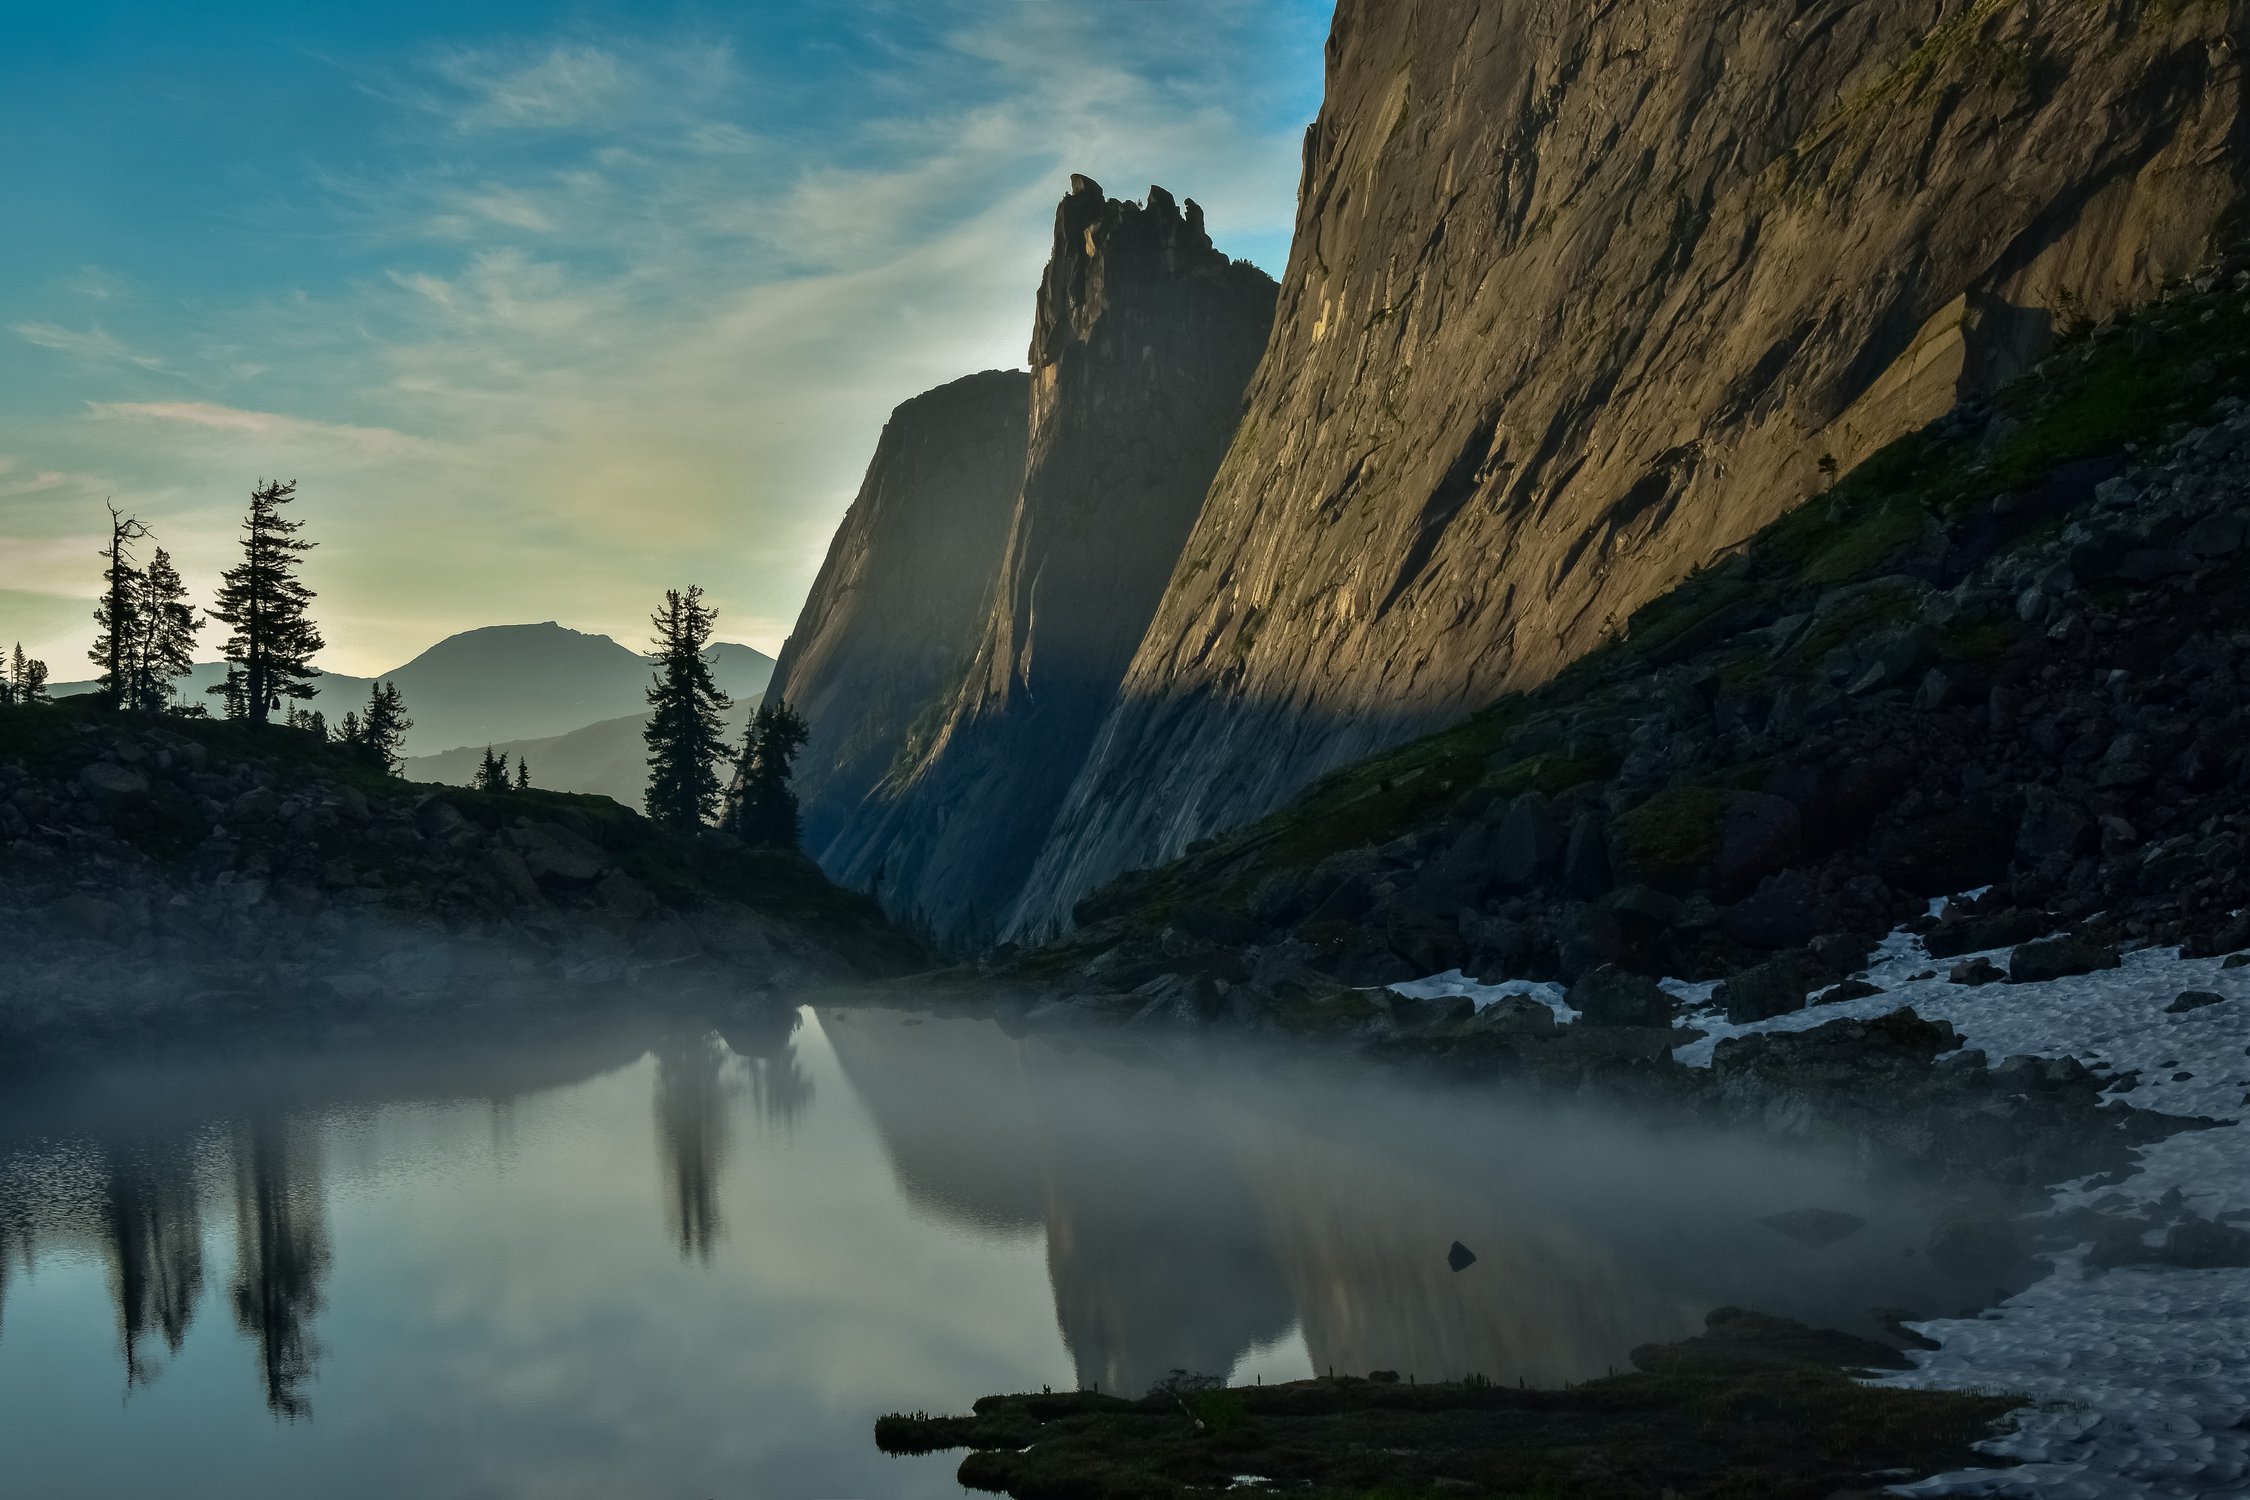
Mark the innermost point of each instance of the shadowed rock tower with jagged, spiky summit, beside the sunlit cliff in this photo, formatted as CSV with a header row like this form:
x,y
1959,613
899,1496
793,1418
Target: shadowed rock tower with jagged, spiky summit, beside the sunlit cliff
x,y
1144,343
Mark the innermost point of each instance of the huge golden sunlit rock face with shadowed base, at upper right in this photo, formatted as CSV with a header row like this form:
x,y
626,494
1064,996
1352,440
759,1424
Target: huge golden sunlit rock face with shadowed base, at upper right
x,y
1585,296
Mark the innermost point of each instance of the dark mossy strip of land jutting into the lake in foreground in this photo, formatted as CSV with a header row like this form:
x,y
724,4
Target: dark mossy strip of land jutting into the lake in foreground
x,y
1756,1409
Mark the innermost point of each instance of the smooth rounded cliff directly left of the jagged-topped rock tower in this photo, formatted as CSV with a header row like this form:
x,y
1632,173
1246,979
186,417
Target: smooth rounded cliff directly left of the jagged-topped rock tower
x,y
899,604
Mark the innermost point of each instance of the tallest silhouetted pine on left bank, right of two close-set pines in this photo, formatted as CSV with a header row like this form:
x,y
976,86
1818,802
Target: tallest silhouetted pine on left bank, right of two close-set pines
x,y
262,599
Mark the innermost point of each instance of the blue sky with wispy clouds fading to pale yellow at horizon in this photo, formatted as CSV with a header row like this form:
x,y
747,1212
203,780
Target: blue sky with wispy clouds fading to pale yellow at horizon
x,y
555,307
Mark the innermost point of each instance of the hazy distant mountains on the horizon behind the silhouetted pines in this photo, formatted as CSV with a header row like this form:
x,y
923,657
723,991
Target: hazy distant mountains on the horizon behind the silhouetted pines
x,y
507,683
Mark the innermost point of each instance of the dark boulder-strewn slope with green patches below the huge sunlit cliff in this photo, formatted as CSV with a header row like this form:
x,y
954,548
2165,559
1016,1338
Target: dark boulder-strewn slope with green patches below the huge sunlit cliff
x,y
2006,656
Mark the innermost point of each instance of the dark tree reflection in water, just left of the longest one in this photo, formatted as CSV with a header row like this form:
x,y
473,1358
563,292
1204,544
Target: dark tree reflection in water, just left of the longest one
x,y
154,1243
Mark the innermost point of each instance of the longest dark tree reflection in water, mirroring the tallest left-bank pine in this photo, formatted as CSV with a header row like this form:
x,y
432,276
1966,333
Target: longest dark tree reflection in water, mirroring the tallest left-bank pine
x,y
280,1254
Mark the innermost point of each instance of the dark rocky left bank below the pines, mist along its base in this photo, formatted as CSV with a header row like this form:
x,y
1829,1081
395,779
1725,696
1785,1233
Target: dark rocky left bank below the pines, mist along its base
x,y
165,874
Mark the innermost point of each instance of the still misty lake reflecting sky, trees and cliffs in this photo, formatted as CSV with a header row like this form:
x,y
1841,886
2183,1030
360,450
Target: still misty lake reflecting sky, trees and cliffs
x,y
678,1260
